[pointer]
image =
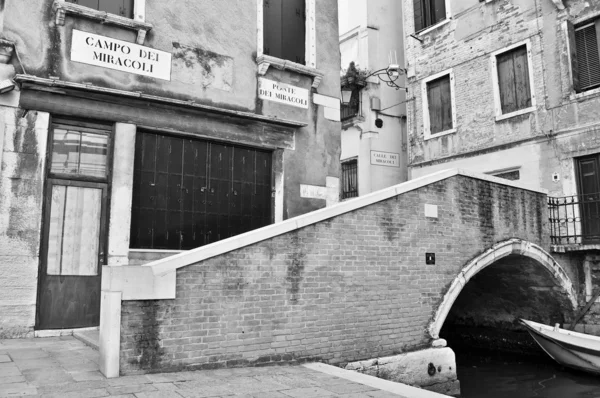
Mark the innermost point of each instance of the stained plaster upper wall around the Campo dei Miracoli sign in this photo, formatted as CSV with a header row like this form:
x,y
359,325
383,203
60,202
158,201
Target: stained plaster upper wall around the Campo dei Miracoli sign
x,y
214,62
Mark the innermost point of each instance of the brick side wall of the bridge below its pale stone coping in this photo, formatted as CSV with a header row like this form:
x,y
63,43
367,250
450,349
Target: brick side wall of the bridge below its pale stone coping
x,y
353,287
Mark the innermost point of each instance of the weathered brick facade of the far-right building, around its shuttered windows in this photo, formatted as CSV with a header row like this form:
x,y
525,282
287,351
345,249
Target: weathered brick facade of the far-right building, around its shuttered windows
x,y
564,125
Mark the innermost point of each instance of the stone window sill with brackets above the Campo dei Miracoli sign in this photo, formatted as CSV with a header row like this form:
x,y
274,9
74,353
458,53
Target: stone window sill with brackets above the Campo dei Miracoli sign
x,y
61,8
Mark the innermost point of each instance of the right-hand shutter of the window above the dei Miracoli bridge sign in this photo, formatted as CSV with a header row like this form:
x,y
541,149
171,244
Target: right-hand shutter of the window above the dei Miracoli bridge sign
x,y
294,33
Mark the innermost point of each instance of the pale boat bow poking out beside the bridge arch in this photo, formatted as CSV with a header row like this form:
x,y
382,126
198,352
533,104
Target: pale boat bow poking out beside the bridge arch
x,y
575,350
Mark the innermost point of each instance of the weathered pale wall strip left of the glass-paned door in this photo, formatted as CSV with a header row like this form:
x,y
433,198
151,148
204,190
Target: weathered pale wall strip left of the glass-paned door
x,y
21,186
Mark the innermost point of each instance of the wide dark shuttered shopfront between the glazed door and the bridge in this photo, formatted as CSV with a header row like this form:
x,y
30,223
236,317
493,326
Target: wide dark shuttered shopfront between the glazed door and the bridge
x,y
189,192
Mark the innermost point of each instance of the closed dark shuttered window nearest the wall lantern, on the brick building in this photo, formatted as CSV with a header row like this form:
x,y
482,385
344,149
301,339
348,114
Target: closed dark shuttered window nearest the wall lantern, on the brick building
x,y
439,101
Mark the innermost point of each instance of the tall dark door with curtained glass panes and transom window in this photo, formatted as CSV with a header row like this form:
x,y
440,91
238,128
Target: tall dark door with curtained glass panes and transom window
x,y
75,211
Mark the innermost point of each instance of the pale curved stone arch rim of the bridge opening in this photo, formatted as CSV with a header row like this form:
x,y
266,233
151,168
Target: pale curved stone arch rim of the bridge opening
x,y
490,256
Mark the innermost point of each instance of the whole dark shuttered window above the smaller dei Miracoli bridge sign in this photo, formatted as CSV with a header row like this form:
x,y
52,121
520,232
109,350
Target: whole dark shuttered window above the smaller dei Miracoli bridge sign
x,y
285,29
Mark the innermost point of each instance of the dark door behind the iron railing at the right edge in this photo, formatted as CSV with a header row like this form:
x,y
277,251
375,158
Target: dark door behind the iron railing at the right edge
x,y
589,197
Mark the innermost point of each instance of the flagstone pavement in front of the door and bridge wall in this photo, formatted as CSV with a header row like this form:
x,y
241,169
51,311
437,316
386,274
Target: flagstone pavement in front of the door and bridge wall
x,y
65,367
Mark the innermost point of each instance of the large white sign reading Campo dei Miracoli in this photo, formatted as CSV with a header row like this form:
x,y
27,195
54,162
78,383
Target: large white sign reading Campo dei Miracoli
x,y
107,52
